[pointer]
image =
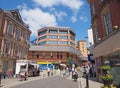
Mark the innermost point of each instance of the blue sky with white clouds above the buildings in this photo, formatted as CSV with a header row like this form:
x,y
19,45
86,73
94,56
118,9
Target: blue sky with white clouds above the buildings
x,y
41,13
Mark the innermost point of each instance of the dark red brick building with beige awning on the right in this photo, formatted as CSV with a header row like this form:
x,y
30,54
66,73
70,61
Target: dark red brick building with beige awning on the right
x,y
106,32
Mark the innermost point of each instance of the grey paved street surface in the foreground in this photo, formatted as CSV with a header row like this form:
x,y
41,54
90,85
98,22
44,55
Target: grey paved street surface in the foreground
x,y
48,82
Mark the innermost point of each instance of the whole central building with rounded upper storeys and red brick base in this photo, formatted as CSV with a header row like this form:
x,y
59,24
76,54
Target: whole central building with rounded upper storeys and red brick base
x,y
55,45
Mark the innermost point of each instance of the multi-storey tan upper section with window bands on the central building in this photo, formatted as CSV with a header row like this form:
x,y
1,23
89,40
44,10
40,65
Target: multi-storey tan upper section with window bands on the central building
x,y
56,36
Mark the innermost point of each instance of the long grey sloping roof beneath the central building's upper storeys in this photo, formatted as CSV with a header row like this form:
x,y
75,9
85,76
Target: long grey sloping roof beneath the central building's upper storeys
x,y
55,48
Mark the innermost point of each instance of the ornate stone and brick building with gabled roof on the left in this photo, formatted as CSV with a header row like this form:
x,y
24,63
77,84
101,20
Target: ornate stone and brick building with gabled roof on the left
x,y
14,39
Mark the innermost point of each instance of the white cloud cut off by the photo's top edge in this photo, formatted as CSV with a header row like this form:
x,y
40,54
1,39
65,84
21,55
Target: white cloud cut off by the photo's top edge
x,y
72,4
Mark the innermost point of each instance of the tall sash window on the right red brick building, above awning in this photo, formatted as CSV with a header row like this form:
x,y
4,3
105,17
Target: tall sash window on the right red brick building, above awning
x,y
107,23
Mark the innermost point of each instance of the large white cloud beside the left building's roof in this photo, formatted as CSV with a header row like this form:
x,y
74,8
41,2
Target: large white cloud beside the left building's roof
x,y
36,19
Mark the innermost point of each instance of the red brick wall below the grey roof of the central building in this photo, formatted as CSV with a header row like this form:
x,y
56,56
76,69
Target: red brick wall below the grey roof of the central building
x,y
47,57
